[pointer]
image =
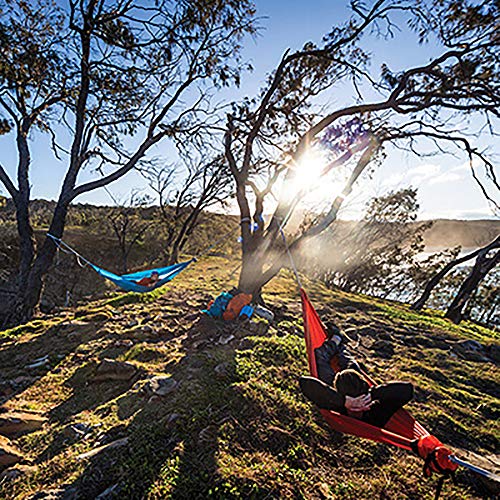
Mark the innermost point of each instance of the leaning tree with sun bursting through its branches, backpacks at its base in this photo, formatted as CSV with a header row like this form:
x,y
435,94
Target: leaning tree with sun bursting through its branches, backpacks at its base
x,y
270,138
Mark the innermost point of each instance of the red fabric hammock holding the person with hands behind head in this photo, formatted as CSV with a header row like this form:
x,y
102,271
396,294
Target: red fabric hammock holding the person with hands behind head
x,y
401,429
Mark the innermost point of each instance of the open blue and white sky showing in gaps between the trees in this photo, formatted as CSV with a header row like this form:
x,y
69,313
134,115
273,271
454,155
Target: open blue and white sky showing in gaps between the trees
x,y
445,185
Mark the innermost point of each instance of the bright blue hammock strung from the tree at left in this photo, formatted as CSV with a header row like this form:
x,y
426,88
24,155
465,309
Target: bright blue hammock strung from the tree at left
x,y
128,281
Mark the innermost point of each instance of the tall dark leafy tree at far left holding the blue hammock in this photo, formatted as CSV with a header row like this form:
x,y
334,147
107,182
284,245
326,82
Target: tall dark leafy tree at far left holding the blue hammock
x,y
116,76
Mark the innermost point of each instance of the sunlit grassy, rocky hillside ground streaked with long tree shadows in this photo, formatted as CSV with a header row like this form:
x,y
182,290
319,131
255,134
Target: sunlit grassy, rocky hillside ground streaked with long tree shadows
x,y
234,424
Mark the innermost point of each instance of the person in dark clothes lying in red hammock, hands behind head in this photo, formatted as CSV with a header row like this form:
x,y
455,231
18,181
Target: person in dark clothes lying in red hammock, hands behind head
x,y
346,391
